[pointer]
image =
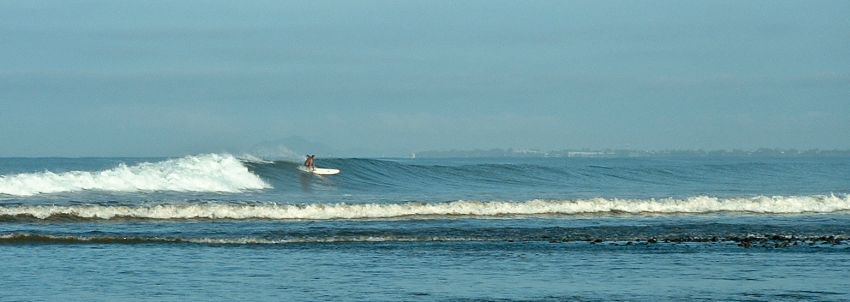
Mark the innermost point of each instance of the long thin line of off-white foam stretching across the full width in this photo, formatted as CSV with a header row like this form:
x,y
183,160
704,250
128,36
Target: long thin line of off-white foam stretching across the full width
x,y
697,204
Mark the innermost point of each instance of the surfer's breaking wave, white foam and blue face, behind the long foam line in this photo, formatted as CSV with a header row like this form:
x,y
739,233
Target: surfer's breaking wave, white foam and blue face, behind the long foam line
x,y
376,180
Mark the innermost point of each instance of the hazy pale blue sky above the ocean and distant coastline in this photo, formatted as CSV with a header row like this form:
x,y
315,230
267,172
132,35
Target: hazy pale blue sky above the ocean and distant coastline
x,y
386,78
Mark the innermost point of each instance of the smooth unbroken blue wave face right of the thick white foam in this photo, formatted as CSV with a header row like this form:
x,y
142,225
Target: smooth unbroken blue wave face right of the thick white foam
x,y
554,178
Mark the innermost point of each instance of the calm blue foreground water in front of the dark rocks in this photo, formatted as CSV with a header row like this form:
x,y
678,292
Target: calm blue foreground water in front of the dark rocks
x,y
473,271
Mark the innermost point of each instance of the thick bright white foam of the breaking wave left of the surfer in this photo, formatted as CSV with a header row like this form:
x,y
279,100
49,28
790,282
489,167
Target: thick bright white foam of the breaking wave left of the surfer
x,y
200,173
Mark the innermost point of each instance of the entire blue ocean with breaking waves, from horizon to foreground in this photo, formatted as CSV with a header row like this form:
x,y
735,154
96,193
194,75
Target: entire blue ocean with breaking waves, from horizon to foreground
x,y
219,227
